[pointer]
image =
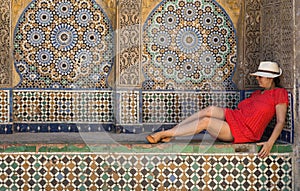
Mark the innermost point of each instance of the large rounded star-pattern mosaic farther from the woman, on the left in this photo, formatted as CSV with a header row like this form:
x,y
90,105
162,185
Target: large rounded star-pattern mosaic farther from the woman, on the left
x,y
63,44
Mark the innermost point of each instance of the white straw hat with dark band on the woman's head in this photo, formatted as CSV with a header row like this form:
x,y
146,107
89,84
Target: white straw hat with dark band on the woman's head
x,y
268,69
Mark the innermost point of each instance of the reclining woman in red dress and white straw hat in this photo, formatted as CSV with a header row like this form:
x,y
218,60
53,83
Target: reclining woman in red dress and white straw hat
x,y
244,124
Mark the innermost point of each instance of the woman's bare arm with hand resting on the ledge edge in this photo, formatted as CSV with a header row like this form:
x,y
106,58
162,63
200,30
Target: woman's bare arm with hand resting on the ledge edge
x,y
281,110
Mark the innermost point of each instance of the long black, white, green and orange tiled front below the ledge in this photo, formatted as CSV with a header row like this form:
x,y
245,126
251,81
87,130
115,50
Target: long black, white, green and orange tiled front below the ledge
x,y
144,172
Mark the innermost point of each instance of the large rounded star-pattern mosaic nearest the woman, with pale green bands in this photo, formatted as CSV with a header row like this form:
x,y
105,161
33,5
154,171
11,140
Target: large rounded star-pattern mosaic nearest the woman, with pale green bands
x,y
189,45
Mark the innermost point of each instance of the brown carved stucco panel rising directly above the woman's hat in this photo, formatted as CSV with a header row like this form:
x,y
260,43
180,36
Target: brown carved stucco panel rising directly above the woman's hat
x,y
277,37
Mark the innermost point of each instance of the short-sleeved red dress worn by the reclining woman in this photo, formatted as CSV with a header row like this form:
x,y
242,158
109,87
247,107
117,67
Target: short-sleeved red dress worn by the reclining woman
x,y
248,122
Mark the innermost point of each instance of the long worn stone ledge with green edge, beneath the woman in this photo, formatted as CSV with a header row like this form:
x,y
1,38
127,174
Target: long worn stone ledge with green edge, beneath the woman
x,y
124,143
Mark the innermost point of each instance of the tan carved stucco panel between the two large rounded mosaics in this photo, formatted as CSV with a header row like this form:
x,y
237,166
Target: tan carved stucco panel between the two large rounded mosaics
x,y
129,42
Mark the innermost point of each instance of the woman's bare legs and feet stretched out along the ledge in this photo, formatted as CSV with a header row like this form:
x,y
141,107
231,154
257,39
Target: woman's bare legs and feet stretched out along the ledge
x,y
216,127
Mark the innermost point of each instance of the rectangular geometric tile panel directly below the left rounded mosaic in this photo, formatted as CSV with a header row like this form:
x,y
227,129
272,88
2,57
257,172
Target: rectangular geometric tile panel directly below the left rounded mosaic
x,y
63,106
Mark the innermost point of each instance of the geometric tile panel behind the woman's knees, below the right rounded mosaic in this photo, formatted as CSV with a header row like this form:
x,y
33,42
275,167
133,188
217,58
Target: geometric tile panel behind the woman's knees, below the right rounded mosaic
x,y
173,107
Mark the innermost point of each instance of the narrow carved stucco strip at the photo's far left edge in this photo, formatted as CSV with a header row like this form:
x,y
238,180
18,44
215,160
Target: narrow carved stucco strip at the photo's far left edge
x,y
5,68
